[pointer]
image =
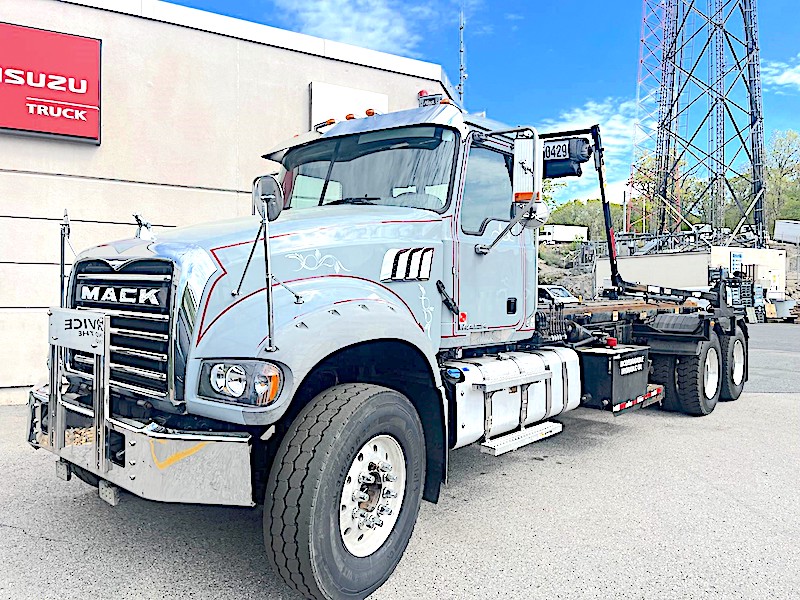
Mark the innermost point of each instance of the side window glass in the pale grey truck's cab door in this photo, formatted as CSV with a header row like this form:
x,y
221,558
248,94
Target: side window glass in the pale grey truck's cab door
x,y
487,189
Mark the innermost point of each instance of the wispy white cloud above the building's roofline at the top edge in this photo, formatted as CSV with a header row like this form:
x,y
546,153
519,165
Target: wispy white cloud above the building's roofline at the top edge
x,y
395,26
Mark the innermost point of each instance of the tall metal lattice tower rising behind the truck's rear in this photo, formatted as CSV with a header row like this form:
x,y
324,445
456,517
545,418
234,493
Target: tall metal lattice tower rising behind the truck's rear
x,y
699,141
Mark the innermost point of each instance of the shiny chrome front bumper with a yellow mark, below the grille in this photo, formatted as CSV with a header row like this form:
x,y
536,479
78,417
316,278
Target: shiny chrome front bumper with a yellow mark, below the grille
x,y
146,460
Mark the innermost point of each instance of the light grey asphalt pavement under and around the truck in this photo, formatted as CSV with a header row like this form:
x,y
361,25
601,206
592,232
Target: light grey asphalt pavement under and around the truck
x,y
649,505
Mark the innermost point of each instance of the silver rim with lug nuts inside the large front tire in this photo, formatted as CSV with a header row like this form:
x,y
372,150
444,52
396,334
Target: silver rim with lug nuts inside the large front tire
x,y
372,495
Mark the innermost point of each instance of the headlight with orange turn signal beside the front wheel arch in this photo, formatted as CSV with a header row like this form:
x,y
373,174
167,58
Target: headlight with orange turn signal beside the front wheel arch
x,y
253,383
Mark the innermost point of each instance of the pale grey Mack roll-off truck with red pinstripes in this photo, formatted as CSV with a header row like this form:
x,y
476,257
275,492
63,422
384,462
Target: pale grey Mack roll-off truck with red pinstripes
x,y
324,360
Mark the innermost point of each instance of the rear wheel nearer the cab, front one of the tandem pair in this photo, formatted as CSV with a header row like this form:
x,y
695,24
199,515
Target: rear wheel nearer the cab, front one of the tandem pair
x,y
699,378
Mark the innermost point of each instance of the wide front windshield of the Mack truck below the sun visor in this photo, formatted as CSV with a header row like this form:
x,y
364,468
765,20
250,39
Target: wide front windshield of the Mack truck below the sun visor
x,y
406,166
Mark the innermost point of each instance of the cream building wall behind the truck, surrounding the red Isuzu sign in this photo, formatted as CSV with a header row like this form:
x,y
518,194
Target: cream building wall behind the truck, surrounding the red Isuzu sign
x,y
186,114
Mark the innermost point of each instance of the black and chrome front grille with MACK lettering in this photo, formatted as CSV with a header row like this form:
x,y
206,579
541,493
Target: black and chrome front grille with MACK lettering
x,y
140,332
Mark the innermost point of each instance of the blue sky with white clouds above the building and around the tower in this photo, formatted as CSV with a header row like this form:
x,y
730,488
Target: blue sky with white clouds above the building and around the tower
x,y
550,64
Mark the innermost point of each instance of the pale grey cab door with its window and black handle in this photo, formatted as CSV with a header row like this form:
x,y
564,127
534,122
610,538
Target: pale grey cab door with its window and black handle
x,y
489,287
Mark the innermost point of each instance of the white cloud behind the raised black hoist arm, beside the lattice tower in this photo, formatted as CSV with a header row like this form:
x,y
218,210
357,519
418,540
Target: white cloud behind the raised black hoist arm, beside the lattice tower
x,y
616,117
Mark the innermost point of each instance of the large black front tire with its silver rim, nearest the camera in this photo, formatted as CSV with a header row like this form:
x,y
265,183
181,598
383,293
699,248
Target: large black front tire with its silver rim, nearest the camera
x,y
332,527
